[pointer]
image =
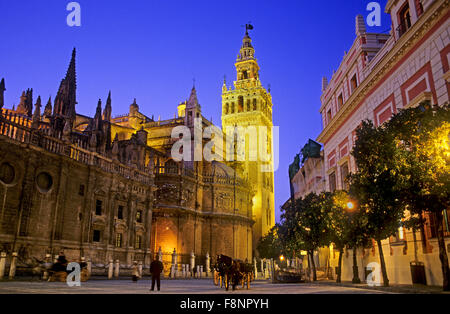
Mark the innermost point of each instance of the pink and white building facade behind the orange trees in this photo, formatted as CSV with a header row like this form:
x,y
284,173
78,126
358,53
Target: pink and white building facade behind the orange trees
x,y
381,74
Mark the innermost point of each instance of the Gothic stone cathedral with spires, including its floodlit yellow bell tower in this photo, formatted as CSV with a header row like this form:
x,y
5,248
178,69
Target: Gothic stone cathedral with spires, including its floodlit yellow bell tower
x,y
107,188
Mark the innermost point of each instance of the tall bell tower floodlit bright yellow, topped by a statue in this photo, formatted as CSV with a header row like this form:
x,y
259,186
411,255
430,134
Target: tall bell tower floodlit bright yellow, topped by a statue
x,y
246,105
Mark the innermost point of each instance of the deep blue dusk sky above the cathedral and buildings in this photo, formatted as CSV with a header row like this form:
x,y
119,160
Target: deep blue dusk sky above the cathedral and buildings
x,y
152,50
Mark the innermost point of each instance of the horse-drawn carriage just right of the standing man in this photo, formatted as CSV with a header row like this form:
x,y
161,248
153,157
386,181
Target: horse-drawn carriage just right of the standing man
x,y
232,272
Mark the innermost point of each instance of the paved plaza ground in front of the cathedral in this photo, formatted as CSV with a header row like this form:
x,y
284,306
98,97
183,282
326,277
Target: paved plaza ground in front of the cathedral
x,y
169,287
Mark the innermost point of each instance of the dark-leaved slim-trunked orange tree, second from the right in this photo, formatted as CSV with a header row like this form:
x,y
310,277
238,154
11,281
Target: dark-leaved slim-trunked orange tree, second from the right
x,y
375,184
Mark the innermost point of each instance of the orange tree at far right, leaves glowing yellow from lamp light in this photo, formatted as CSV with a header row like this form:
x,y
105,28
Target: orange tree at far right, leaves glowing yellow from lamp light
x,y
422,138
